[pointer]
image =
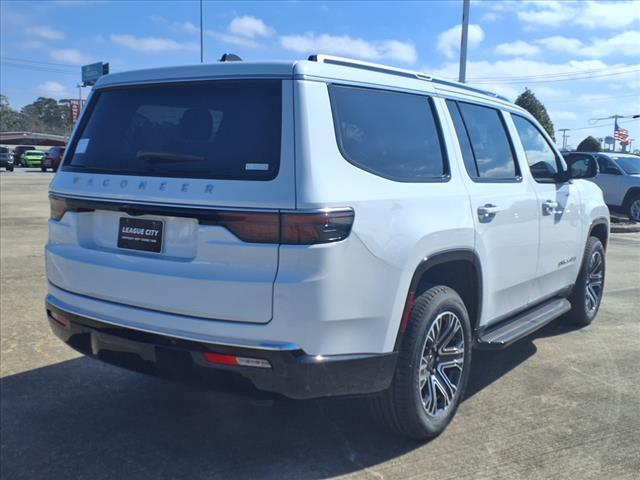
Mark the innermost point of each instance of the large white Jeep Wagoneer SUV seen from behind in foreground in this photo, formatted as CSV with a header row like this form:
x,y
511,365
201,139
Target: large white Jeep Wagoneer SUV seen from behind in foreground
x,y
316,228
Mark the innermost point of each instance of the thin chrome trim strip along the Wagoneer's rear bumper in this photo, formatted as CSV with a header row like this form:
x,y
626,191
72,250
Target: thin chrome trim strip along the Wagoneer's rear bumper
x,y
227,342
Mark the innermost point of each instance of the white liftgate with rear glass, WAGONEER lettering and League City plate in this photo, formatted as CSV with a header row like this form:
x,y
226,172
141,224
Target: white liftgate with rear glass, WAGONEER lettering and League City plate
x,y
170,193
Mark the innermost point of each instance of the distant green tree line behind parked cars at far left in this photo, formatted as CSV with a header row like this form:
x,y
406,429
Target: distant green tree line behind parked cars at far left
x,y
45,115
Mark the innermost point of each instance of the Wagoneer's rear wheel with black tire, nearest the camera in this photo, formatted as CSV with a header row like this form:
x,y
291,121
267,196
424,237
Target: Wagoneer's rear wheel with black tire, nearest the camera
x,y
401,407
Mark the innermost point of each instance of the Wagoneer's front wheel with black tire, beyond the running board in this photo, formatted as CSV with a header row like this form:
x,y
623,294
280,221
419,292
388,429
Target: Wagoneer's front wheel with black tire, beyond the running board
x,y
589,284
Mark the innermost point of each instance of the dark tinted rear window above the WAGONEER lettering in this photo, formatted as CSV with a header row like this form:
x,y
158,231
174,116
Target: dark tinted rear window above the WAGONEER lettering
x,y
214,130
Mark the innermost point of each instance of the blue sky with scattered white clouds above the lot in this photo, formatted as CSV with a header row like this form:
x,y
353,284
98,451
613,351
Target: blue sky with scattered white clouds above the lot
x,y
581,59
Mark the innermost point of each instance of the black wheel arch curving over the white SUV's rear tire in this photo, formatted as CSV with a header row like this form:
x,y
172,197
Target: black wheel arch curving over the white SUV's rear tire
x,y
459,269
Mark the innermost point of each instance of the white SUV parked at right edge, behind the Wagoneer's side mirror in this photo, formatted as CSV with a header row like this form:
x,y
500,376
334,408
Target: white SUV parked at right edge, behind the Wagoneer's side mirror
x,y
619,179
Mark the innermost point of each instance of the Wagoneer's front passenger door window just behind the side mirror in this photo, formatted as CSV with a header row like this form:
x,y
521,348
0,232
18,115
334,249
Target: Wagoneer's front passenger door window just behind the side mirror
x,y
541,158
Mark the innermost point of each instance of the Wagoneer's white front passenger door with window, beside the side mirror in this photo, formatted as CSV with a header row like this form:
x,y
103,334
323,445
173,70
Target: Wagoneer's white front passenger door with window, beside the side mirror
x,y
558,209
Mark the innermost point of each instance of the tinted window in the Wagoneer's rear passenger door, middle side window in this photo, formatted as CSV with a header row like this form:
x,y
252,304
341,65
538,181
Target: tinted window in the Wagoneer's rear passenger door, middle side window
x,y
489,142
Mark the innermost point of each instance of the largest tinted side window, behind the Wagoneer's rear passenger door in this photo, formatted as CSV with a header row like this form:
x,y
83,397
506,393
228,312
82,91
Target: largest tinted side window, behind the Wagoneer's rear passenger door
x,y
392,135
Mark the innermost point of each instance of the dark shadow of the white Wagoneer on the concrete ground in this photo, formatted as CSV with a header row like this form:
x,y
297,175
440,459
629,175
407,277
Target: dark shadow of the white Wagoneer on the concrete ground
x,y
84,419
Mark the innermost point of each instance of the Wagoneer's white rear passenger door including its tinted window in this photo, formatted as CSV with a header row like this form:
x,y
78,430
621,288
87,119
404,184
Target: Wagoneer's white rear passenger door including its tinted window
x,y
504,209
